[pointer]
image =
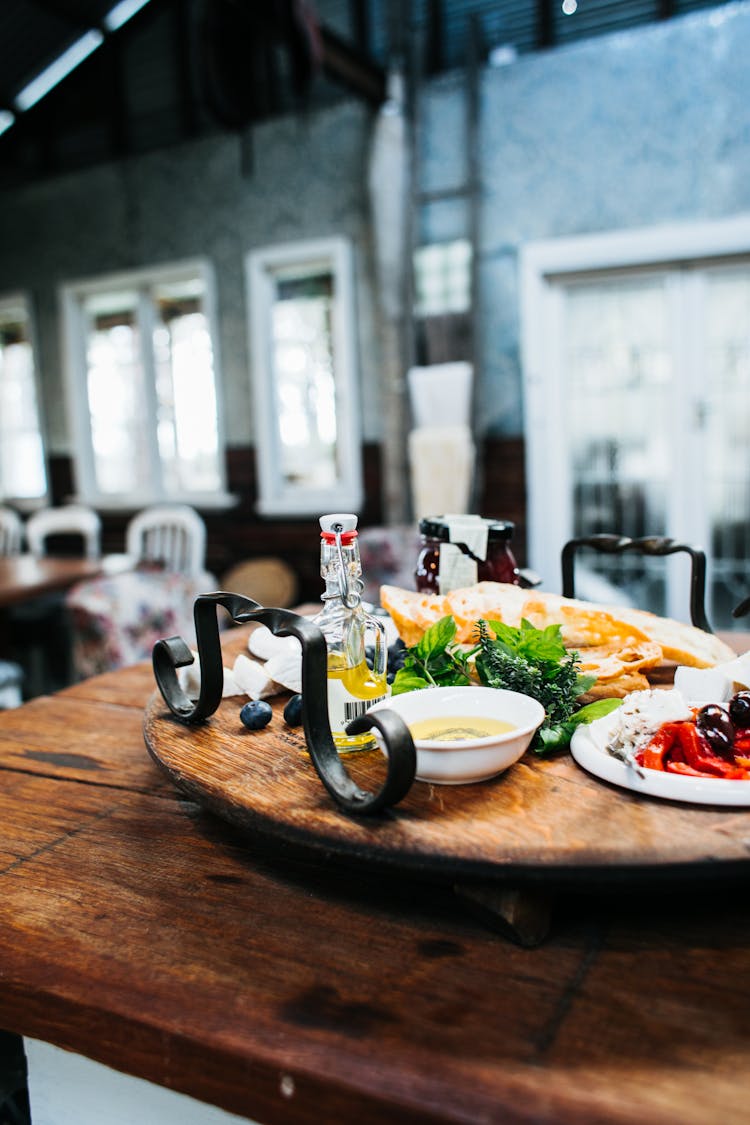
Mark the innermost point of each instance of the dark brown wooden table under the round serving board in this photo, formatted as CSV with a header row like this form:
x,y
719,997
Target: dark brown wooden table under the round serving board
x,y
141,932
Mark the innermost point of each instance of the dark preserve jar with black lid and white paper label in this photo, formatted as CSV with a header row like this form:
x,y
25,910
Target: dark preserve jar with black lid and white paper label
x,y
459,552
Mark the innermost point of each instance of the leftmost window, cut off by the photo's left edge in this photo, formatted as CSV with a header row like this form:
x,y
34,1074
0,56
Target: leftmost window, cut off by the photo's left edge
x,y
23,472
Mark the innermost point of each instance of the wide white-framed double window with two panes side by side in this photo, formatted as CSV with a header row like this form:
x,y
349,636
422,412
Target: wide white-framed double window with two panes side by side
x,y
142,365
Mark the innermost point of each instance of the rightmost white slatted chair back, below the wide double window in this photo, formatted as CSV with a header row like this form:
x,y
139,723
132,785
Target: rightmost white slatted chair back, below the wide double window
x,y
174,535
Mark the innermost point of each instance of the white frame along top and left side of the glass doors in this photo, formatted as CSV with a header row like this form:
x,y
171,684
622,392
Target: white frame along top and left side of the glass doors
x,y
543,265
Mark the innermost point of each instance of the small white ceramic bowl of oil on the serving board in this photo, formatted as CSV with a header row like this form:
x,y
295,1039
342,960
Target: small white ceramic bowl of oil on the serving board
x,y
446,763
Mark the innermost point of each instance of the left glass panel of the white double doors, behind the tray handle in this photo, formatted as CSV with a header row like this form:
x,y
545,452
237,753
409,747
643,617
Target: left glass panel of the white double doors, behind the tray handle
x,y
619,376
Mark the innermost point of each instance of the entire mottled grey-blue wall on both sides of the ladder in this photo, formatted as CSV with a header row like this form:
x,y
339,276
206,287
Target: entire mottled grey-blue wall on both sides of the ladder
x,y
631,130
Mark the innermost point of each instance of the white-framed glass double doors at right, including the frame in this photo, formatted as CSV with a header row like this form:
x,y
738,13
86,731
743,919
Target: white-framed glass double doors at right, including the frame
x,y
638,406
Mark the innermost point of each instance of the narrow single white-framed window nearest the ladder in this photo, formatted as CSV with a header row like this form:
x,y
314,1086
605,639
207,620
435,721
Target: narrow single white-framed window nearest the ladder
x,y
305,379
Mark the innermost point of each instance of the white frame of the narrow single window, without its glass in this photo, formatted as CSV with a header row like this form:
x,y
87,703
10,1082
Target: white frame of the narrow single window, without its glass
x,y
276,498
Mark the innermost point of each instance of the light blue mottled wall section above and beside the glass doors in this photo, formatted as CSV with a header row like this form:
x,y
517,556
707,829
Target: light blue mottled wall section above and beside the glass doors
x,y
625,131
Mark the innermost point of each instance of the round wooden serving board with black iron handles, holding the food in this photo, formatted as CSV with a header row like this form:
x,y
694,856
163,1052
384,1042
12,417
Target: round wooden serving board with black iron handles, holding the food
x,y
541,820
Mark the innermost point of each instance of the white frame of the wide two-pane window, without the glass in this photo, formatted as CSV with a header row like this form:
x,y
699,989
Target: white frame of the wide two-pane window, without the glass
x,y
73,296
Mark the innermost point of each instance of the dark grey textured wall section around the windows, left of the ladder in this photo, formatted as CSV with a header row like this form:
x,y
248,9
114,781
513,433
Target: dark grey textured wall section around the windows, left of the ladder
x,y
221,197
